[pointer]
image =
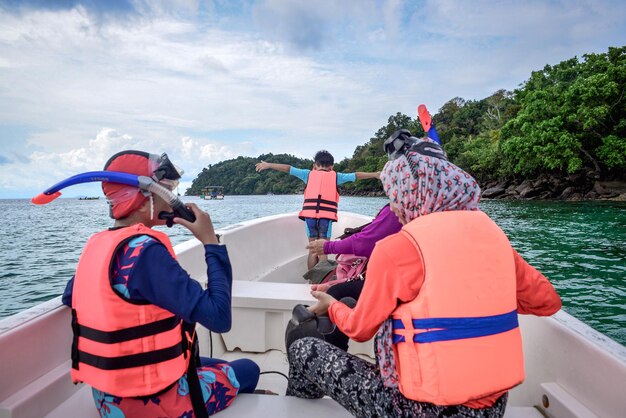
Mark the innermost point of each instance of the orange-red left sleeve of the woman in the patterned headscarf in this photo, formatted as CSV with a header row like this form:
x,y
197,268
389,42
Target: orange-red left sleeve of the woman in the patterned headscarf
x,y
389,280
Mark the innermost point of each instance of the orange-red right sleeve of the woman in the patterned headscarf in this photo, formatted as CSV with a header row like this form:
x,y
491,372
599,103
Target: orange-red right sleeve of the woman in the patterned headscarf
x,y
535,294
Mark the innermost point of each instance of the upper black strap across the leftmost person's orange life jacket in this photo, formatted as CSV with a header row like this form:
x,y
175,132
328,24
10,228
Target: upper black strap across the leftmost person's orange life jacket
x,y
126,334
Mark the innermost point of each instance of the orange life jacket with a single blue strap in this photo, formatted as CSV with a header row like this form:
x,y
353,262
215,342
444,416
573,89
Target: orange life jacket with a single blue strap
x,y
459,339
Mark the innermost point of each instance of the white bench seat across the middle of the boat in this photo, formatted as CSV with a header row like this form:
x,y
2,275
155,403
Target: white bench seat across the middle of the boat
x,y
261,311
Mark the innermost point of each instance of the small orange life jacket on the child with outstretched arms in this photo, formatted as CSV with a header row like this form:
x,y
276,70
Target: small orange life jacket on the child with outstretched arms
x,y
321,198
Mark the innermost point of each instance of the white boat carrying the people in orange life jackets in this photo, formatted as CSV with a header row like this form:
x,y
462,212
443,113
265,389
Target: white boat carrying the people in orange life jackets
x,y
572,370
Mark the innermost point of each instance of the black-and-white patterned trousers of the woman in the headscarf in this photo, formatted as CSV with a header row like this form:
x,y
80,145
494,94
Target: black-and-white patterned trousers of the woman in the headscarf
x,y
317,368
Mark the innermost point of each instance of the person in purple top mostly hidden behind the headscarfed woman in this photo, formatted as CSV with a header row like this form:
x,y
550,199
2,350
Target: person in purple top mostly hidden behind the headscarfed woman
x,y
360,244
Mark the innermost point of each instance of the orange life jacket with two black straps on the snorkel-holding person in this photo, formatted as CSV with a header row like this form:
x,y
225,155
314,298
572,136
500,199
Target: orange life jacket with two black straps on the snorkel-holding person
x,y
120,347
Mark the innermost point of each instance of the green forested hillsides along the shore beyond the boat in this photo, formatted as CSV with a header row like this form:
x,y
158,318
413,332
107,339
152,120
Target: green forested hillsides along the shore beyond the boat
x,y
560,133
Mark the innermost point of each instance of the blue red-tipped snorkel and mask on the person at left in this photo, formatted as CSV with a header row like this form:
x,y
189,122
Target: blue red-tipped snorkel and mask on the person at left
x,y
165,179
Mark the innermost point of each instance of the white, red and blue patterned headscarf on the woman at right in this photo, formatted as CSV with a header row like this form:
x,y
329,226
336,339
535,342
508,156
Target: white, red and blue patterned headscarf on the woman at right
x,y
421,184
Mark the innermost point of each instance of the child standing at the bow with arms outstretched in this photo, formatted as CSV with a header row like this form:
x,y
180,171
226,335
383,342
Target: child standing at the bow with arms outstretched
x,y
321,197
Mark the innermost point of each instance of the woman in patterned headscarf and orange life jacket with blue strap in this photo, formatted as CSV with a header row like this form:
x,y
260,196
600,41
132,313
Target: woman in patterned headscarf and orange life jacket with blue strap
x,y
444,294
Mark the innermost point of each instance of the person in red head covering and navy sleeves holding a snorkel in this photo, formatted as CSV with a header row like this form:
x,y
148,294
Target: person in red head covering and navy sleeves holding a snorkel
x,y
134,308
